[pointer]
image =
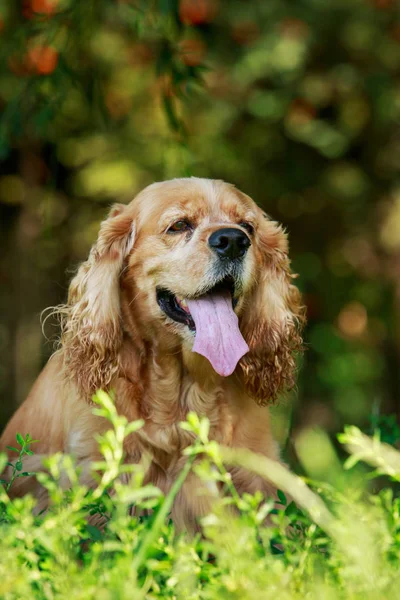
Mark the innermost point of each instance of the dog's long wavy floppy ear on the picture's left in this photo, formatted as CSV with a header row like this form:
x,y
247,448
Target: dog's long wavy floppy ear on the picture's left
x,y
91,321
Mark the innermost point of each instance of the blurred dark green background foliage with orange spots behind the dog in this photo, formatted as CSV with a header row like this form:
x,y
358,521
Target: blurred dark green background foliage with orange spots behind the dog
x,y
296,102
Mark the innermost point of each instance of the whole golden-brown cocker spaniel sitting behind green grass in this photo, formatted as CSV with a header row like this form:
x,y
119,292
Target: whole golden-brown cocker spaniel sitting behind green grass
x,y
185,303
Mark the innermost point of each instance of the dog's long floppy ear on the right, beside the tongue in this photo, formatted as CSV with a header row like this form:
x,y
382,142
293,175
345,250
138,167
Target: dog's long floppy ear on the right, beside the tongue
x,y
273,323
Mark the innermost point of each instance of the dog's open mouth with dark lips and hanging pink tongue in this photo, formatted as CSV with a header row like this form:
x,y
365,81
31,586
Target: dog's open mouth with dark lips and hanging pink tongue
x,y
211,316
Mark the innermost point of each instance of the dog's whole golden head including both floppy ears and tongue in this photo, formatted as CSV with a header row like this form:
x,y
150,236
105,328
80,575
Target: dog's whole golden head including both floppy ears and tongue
x,y
188,263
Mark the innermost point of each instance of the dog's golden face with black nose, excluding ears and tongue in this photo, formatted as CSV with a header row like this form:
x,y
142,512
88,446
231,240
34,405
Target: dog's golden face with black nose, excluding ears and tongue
x,y
195,238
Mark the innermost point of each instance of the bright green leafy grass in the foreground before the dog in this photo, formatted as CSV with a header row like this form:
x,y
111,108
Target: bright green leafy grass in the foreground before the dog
x,y
336,539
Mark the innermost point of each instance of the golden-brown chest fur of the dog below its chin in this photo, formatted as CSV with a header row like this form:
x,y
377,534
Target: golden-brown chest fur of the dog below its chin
x,y
169,394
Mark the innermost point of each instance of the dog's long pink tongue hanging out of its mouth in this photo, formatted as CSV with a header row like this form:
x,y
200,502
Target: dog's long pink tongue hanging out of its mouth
x,y
218,337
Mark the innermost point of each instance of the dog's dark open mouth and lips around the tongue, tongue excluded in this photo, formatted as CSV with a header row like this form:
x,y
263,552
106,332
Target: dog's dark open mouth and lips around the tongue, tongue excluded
x,y
177,309
